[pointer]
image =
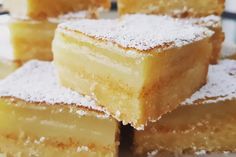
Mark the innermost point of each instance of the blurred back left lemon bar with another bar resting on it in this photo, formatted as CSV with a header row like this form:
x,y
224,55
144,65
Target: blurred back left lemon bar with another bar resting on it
x,y
32,39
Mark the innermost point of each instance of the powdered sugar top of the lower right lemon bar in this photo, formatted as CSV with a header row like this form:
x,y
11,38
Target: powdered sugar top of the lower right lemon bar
x,y
221,84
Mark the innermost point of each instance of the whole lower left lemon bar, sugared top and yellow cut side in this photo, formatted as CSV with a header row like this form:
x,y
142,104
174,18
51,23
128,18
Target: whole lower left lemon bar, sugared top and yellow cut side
x,y
38,117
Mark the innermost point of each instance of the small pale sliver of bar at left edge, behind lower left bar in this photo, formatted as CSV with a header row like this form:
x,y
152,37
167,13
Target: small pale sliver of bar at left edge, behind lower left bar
x,y
7,67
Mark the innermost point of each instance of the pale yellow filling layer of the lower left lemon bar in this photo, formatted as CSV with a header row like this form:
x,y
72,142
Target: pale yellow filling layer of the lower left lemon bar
x,y
59,126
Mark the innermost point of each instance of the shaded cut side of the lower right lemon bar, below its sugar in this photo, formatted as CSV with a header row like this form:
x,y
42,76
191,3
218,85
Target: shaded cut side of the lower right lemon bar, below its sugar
x,y
207,127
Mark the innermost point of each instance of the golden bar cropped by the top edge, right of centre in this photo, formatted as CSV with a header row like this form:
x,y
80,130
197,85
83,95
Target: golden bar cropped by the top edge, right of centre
x,y
177,8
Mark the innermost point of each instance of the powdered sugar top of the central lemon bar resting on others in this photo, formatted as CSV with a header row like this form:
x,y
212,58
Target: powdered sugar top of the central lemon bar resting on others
x,y
139,31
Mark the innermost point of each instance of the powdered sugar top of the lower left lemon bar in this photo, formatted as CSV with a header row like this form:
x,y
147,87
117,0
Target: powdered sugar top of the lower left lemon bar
x,y
36,82
